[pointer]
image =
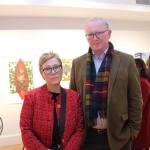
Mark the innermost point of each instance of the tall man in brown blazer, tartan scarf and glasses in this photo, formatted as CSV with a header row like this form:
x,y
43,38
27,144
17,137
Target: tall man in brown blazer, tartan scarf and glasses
x,y
108,83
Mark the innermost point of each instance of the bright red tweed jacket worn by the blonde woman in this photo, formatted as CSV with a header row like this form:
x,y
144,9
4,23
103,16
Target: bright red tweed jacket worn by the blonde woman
x,y
36,120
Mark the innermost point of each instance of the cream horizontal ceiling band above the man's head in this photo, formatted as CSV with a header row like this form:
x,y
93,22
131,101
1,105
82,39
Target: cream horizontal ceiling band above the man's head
x,y
115,13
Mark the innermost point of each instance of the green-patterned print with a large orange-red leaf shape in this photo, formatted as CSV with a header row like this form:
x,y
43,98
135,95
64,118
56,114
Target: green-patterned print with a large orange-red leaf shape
x,y
20,77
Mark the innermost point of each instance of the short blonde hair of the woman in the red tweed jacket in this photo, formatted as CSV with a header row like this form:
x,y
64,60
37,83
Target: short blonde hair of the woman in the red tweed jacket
x,y
46,56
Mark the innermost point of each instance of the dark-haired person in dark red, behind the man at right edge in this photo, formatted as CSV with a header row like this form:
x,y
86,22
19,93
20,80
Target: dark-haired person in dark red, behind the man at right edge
x,y
143,139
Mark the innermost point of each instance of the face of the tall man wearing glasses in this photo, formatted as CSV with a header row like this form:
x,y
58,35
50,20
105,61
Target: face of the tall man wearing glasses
x,y
98,44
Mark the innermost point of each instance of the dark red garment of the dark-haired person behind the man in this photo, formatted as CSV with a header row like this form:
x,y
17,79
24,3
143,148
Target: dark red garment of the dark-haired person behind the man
x,y
143,139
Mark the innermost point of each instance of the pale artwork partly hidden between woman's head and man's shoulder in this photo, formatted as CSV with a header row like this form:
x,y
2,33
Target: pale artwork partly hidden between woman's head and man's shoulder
x,y
67,64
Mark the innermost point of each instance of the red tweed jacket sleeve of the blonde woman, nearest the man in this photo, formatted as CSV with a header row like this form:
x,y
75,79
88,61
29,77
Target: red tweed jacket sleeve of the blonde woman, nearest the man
x,y
76,139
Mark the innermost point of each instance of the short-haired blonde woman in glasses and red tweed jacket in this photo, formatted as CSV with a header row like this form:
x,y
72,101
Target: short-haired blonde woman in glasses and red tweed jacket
x,y
40,115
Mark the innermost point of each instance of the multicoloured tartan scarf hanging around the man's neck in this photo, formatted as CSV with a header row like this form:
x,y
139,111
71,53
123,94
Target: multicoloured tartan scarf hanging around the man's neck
x,y
97,85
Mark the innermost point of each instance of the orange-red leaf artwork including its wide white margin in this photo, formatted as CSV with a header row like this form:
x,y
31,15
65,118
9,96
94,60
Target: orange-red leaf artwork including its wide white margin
x,y
17,77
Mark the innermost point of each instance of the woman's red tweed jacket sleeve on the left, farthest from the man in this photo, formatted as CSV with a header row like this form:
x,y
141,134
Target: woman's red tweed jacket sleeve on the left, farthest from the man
x,y
30,141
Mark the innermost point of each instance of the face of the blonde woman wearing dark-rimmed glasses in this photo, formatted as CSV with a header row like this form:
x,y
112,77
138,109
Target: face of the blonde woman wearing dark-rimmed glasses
x,y
52,73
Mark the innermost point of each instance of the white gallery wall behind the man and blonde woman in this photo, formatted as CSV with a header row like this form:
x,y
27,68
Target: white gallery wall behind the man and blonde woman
x,y
28,38
